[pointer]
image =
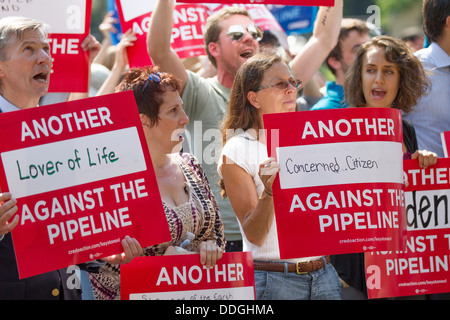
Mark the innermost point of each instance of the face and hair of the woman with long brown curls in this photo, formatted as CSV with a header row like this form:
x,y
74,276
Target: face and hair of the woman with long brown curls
x,y
395,62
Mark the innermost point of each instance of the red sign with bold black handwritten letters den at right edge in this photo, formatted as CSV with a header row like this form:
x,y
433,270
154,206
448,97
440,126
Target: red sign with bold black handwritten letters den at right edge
x,y
422,266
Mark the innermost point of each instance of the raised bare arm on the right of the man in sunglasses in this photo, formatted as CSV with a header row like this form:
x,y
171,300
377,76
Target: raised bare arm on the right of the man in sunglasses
x,y
325,36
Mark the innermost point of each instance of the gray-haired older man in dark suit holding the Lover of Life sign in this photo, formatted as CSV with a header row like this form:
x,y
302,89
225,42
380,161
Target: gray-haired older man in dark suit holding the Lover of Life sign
x,y
25,67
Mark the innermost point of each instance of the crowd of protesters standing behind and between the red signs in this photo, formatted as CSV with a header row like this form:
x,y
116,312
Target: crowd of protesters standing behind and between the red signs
x,y
225,203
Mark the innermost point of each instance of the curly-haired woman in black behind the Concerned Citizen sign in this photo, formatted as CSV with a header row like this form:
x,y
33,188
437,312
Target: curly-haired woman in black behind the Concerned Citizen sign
x,y
386,74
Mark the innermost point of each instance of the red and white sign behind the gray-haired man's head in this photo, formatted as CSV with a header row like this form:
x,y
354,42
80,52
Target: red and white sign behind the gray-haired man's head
x,y
69,24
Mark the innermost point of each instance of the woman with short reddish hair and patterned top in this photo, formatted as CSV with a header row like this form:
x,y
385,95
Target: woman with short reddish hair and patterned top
x,y
191,209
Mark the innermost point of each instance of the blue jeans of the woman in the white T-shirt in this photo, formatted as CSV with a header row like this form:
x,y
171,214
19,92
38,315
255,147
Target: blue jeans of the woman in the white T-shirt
x,y
323,284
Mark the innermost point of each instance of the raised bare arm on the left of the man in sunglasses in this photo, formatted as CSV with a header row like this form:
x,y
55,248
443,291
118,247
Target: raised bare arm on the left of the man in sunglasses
x,y
158,41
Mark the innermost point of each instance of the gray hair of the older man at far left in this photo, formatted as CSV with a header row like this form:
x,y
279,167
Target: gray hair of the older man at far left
x,y
13,28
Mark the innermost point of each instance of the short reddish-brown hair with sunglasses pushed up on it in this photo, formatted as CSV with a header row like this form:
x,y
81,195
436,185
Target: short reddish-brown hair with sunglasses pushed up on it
x,y
148,93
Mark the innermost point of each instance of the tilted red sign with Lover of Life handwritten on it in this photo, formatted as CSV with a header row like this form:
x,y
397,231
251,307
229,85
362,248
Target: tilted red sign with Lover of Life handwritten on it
x,y
83,180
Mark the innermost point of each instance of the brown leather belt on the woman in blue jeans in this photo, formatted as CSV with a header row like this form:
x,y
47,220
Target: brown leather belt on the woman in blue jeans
x,y
299,267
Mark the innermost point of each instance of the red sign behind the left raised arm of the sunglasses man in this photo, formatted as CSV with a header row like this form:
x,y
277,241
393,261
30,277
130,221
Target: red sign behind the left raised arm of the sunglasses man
x,y
187,32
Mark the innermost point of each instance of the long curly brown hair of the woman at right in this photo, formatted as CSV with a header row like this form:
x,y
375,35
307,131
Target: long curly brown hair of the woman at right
x,y
414,81
